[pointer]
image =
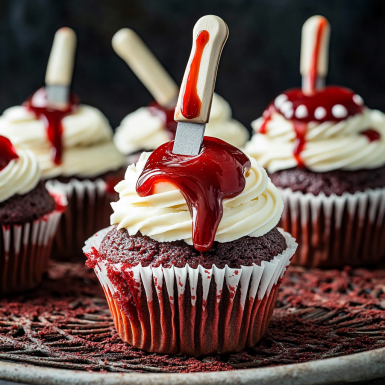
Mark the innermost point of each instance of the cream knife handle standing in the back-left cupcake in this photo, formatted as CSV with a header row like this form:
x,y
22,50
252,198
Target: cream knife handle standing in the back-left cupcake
x,y
61,60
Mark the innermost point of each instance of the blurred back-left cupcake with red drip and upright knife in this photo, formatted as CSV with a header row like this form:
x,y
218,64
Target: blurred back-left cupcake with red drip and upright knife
x,y
74,148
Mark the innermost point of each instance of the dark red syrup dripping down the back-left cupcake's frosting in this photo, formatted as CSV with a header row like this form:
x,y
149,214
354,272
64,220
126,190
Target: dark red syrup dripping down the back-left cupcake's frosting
x,y
52,119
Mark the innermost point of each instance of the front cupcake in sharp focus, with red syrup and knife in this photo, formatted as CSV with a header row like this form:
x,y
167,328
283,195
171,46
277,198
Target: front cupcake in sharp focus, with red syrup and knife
x,y
193,260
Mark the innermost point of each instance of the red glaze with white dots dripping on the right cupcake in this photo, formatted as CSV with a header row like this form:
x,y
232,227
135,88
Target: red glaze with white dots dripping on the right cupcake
x,y
300,108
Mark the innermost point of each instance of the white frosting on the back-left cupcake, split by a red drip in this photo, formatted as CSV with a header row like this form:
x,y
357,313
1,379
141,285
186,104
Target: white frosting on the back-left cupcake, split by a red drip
x,y
87,141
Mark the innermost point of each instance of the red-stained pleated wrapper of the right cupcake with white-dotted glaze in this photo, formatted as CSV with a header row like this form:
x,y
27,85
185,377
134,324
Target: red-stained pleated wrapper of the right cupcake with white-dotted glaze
x,y
334,231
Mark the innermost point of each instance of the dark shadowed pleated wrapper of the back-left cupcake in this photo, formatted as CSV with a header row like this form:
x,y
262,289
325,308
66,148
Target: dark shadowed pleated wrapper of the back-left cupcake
x,y
88,210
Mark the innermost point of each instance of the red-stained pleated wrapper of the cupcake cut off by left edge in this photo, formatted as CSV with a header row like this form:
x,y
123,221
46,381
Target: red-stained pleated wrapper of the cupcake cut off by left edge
x,y
25,249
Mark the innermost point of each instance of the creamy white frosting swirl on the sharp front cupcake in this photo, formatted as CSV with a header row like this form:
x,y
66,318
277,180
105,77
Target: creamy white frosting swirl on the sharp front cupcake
x,y
165,217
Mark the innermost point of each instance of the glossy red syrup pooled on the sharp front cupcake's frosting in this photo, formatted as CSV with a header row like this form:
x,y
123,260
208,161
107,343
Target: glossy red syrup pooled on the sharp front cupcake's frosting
x,y
216,173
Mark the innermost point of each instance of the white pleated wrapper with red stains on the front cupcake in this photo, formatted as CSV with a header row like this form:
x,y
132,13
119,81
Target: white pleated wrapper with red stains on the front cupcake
x,y
195,311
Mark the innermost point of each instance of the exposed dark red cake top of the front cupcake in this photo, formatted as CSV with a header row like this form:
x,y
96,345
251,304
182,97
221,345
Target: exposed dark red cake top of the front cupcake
x,y
117,246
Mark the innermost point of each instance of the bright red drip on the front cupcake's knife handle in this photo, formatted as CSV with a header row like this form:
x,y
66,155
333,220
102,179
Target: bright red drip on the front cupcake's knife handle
x,y
191,105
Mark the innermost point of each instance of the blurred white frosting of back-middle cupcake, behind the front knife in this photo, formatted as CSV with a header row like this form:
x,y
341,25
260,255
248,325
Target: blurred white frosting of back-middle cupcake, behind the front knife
x,y
142,130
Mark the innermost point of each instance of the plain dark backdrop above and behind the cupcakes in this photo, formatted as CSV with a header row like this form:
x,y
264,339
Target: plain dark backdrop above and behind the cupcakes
x,y
260,59
